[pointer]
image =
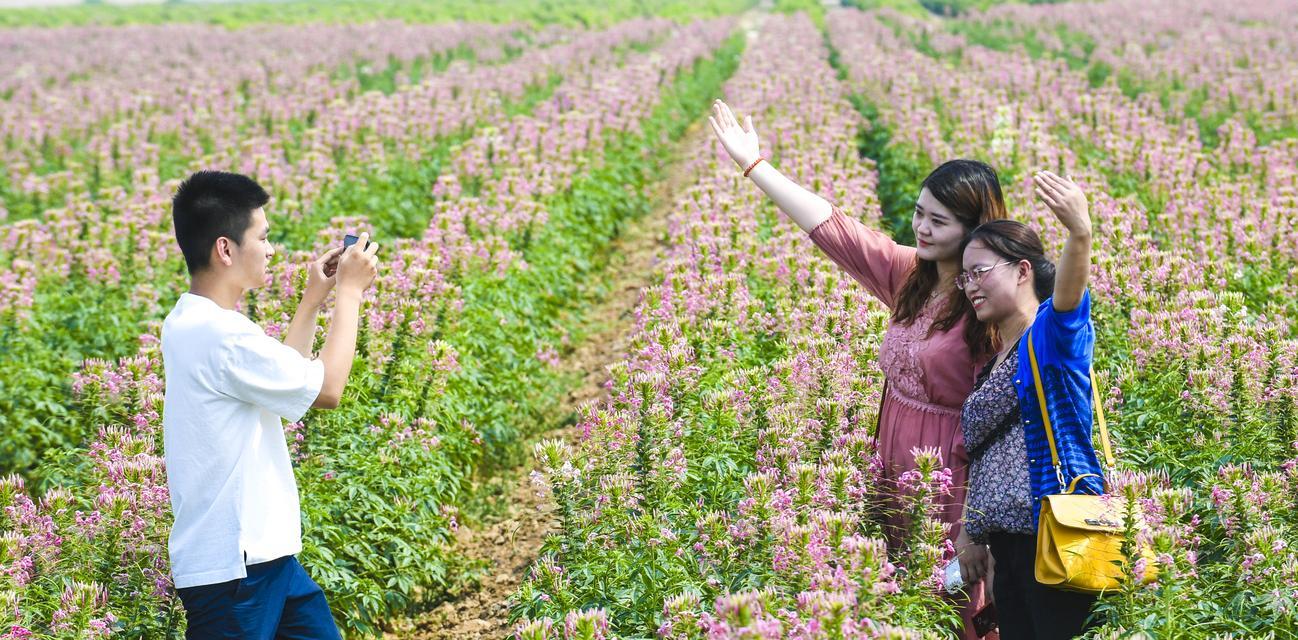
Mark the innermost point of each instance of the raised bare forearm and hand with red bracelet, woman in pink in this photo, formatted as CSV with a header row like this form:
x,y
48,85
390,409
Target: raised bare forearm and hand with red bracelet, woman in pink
x,y
803,207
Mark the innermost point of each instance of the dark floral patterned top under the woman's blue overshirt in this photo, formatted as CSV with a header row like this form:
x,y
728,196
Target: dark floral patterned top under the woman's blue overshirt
x,y
1000,495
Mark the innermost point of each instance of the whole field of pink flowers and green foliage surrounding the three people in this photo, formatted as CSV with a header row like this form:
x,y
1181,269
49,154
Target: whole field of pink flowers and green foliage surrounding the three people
x,y
698,452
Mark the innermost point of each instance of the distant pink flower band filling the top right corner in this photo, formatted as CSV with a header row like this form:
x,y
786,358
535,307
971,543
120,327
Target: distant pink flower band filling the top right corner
x,y
1204,59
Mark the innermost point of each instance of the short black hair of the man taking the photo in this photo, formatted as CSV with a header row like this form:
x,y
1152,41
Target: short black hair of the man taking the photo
x,y
211,206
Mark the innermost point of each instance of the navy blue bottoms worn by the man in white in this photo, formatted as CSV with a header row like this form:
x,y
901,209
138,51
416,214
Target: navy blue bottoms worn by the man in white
x,y
278,600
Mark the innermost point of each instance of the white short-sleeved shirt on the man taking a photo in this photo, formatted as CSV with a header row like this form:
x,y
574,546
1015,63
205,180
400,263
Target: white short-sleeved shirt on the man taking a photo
x,y
232,481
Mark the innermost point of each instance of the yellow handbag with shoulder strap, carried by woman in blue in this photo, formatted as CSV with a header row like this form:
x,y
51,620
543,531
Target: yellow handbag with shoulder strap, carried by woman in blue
x,y
1081,537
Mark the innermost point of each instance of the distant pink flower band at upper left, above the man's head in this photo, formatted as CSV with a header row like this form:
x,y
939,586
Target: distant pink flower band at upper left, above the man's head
x,y
89,106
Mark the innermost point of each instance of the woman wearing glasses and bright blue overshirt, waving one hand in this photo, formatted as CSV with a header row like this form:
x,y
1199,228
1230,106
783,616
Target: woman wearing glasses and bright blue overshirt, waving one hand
x,y
1029,301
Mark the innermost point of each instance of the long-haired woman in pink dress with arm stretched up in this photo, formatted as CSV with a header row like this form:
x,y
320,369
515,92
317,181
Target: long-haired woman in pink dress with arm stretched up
x,y
935,345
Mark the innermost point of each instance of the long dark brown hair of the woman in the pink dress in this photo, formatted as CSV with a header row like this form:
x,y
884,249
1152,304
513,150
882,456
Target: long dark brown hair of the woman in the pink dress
x,y
972,191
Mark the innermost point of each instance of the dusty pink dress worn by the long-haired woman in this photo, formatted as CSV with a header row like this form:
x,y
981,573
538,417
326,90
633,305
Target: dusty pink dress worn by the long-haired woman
x,y
929,377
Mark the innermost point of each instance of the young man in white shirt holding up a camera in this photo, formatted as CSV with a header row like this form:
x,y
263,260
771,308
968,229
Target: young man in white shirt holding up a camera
x,y
229,386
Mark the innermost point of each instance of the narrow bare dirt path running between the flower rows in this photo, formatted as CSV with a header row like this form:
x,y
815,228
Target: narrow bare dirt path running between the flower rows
x,y
512,542
